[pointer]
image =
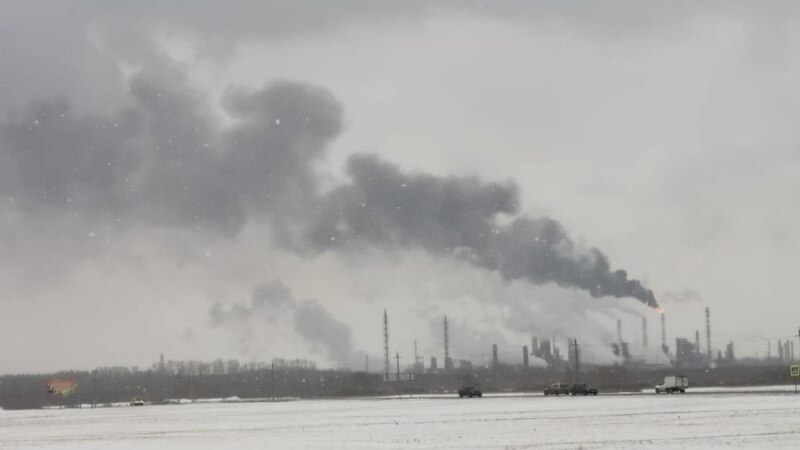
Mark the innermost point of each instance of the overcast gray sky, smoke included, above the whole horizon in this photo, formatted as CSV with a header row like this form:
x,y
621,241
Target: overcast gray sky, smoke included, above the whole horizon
x,y
259,179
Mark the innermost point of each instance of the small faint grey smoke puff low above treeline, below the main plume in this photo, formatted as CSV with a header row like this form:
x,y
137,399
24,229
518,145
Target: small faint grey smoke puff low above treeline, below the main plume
x,y
274,302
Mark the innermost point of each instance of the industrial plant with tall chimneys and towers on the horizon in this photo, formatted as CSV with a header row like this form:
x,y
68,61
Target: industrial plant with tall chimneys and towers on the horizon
x,y
547,359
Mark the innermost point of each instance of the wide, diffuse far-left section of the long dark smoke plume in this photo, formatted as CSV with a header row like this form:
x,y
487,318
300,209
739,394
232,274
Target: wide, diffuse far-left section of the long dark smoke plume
x,y
162,159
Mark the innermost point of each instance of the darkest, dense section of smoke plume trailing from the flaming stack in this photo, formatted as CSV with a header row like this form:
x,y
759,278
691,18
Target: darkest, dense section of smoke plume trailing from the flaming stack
x,y
459,217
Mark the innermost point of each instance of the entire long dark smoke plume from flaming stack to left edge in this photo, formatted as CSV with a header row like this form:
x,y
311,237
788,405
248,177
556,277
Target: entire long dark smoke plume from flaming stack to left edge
x,y
163,159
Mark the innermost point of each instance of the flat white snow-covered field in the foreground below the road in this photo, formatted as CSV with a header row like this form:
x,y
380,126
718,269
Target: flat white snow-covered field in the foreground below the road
x,y
707,420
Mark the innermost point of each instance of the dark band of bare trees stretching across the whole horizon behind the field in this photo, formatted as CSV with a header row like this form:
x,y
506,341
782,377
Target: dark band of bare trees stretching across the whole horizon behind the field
x,y
301,379
